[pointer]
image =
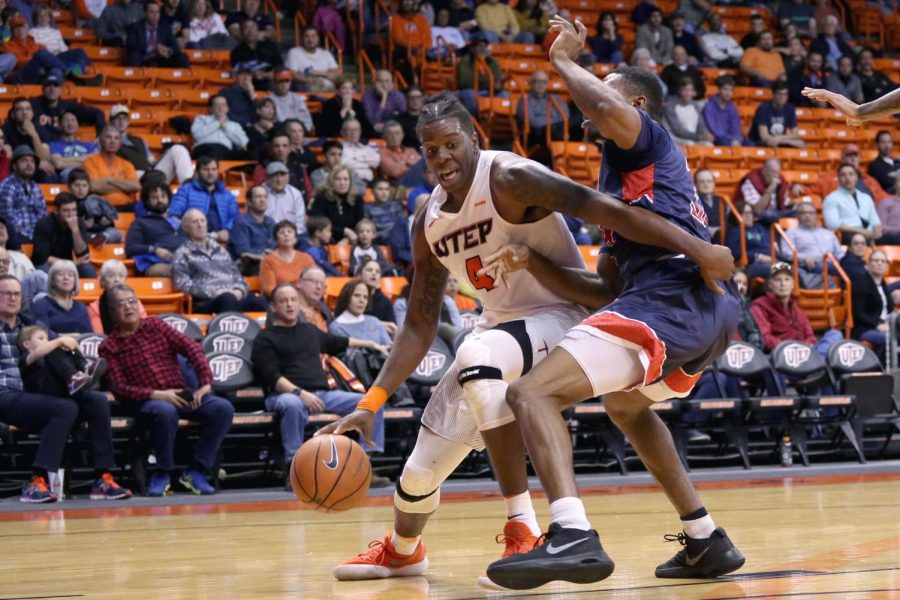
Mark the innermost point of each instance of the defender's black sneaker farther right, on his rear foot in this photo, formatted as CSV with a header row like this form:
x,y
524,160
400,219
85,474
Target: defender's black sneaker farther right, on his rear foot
x,y
701,558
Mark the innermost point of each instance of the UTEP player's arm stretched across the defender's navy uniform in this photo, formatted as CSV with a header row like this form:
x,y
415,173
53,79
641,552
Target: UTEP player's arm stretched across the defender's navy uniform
x,y
532,184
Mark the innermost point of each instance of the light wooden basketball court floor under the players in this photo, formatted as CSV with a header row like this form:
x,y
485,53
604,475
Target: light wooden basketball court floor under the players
x,y
834,537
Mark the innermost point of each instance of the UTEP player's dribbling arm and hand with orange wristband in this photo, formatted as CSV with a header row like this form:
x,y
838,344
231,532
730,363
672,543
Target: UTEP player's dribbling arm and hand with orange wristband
x,y
413,340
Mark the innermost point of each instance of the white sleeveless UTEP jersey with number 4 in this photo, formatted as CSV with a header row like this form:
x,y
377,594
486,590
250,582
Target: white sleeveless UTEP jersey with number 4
x,y
461,240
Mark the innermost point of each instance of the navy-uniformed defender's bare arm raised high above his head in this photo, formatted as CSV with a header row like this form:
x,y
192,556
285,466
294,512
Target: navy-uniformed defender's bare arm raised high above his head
x,y
604,107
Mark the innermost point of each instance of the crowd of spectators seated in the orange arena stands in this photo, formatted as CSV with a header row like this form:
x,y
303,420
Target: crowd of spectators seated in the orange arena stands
x,y
331,191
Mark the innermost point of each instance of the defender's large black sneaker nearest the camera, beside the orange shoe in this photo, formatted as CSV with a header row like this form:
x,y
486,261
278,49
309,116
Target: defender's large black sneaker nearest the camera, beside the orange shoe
x,y
566,554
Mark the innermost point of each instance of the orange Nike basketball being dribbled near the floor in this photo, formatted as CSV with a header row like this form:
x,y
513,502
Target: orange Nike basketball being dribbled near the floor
x,y
331,473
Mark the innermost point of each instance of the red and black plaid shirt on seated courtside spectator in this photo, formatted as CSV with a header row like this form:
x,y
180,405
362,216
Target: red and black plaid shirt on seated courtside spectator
x,y
147,360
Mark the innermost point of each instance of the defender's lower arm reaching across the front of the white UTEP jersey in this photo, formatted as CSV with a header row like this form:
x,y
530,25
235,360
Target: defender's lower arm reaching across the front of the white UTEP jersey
x,y
575,285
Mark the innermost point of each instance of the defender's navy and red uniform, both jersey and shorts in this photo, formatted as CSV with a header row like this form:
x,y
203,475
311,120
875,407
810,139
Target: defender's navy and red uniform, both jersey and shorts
x,y
665,307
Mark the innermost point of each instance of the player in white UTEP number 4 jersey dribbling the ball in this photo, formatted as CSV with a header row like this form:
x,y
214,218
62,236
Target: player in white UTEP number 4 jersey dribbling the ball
x,y
471,214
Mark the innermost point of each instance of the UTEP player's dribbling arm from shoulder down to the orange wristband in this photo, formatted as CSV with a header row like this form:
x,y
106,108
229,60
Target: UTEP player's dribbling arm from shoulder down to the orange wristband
x,y
425,300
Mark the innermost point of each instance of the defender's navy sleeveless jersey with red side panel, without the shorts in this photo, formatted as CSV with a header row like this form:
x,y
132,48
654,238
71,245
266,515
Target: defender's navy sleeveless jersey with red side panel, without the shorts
x,y
653,174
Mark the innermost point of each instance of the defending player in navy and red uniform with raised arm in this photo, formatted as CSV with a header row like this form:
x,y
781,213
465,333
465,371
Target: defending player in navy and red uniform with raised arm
x,y
649,344
